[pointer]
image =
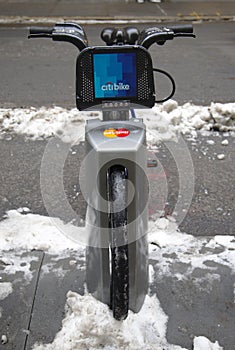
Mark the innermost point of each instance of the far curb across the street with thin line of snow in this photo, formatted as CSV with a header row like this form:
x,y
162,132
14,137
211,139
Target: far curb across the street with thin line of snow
x,y
24,21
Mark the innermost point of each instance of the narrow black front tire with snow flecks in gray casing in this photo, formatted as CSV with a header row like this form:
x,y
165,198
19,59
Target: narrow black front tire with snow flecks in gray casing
x,y
117,197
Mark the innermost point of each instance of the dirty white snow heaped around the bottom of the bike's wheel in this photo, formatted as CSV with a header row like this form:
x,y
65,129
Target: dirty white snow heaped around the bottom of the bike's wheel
x,y
89,324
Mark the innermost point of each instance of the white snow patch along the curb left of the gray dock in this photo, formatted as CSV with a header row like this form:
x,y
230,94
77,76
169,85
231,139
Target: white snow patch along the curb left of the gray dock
x,y
31,231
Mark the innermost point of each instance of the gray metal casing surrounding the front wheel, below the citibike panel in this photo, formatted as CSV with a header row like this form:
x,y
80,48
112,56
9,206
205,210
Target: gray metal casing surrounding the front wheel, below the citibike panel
x,y
103,152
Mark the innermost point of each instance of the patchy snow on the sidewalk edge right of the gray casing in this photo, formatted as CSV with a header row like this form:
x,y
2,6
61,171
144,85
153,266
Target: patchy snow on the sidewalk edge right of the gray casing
x,y
170,246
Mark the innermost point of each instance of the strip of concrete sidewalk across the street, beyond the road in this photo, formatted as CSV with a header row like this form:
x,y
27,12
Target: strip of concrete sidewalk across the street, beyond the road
x,y
24,12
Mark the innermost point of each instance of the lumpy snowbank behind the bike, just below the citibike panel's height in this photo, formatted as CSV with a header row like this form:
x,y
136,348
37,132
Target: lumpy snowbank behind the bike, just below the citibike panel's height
x,y
163,122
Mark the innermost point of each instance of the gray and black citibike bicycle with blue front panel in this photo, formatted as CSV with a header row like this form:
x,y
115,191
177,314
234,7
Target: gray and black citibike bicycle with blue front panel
x,y
115,79
